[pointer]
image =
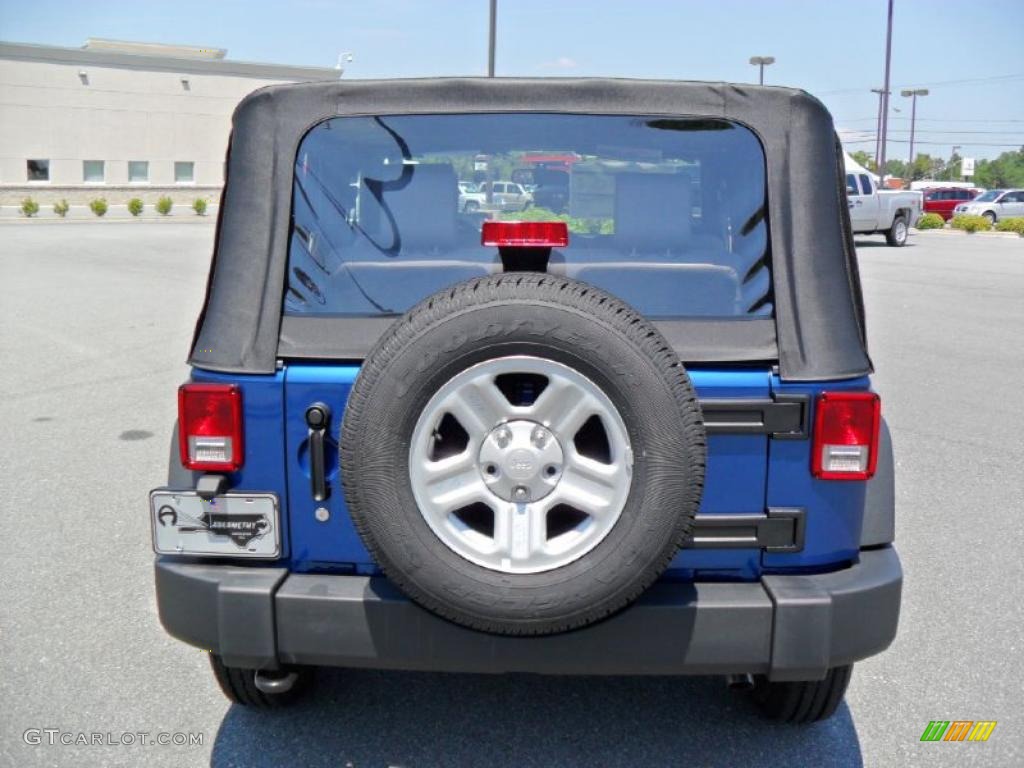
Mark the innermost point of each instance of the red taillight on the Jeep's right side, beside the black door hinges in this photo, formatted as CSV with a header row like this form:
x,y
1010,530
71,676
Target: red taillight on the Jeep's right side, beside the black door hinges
x,y
846,436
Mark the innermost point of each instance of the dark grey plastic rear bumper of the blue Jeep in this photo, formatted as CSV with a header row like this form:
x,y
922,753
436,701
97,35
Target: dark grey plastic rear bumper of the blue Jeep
x,y
787,627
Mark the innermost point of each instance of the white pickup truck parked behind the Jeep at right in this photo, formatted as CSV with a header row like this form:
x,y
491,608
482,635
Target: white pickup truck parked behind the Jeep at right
x,y
874,211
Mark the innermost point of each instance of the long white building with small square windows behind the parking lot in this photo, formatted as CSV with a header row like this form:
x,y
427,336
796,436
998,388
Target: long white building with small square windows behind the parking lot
x,y
122,120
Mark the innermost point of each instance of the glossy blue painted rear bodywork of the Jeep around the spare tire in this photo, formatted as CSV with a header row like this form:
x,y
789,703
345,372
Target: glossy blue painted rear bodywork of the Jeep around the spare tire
x,y
746,475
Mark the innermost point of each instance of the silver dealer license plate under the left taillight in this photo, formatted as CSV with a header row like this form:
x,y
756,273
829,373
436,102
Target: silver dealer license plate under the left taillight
x,y
232,525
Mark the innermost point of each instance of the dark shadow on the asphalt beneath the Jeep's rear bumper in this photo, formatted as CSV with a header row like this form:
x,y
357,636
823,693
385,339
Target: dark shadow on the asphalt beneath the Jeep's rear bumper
x,y
357,719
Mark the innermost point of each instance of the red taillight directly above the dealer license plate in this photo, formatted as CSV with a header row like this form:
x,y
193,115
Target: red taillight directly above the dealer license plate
x,y
210,428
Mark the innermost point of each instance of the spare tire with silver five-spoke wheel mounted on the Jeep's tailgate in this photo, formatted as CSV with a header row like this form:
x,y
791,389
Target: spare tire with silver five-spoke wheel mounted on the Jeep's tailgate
x,y
523,454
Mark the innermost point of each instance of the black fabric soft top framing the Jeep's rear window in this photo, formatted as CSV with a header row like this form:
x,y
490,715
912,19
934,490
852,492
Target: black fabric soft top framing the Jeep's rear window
x,y
818,332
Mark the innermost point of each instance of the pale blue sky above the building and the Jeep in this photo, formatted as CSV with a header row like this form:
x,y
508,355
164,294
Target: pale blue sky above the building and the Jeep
x,y
968,53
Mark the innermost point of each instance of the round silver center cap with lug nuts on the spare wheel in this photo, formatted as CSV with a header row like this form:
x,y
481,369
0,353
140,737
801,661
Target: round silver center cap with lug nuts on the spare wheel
x,y
521,461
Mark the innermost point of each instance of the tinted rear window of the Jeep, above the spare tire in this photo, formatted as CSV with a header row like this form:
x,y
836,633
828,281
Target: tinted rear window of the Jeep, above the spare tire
x,y
668,215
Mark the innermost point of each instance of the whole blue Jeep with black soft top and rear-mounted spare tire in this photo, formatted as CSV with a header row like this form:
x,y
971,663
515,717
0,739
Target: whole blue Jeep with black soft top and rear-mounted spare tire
x,y
635,436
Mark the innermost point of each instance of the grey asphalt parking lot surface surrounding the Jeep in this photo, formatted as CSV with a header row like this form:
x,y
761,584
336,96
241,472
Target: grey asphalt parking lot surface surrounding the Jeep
x,y
97,320
